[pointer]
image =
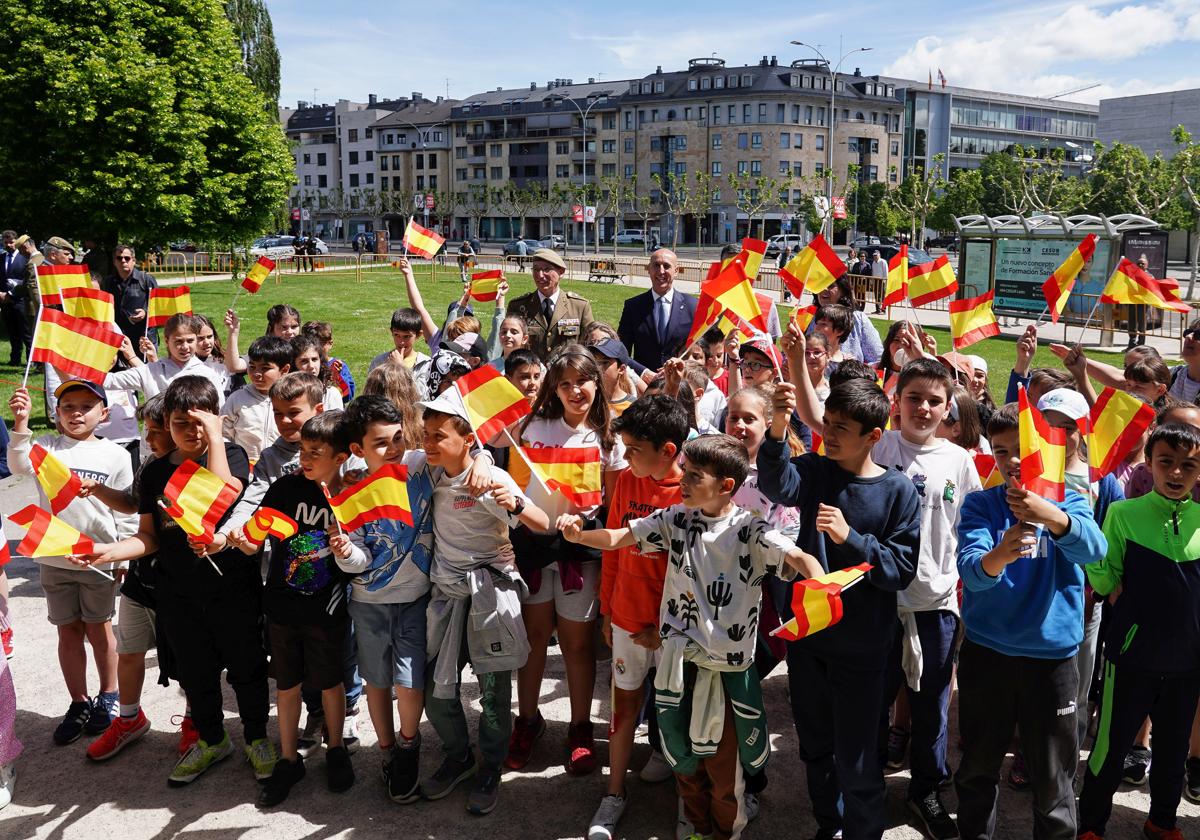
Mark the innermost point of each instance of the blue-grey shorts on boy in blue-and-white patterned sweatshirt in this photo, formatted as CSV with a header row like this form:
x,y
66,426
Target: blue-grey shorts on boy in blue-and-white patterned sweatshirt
x,y
392,643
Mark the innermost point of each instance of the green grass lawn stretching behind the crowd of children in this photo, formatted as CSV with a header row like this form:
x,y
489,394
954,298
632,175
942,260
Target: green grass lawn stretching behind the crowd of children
x,y
361,313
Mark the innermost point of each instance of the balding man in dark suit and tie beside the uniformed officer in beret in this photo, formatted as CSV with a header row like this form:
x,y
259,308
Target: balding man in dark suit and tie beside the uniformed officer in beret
x,y
656,325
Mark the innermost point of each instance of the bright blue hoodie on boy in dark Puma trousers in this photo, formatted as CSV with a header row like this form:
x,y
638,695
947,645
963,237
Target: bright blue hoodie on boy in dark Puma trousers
x,y
1035,608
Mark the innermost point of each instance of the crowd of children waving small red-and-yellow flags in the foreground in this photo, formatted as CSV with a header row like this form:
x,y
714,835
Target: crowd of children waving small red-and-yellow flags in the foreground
x,y
734,473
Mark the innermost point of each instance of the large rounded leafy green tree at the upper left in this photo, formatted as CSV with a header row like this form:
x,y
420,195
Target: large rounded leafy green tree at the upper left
x,y
133,121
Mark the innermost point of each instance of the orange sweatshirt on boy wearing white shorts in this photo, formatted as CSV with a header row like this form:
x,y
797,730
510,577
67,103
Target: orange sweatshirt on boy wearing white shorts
x,y
631,580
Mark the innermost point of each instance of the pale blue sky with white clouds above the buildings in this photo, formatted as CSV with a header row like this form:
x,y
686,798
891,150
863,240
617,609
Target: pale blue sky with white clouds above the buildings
x,y
1012,46
